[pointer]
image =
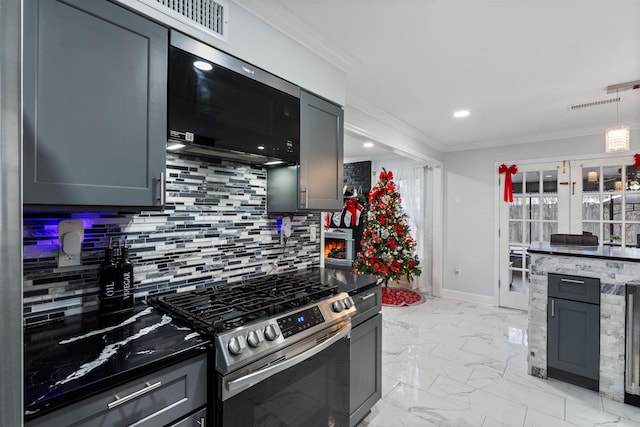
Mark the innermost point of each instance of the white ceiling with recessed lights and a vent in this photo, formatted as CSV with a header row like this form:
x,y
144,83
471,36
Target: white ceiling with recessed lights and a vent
x,y
516,65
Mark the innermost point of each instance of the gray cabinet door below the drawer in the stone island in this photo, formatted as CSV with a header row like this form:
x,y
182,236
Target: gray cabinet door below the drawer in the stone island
x,y
573,340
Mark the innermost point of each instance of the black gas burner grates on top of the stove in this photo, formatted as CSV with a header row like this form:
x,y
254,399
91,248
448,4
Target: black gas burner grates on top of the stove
x,y
217,309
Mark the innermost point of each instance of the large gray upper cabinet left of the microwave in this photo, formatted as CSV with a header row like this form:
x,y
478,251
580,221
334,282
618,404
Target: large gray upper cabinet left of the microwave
x,y
95,85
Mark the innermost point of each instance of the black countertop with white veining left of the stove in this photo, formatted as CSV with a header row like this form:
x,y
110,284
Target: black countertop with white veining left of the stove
x,y
85,354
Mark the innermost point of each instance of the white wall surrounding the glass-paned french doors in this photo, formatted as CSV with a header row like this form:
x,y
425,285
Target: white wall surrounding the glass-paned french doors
x,y
470,208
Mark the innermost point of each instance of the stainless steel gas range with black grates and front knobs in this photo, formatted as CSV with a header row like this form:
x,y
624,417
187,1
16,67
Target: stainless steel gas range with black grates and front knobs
x,y
281,353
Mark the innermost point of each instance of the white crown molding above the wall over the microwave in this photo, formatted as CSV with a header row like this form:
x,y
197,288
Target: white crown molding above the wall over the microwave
x,y
290,25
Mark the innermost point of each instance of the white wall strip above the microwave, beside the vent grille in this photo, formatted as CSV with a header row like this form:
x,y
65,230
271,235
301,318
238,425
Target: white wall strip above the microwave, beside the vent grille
x,y
256,42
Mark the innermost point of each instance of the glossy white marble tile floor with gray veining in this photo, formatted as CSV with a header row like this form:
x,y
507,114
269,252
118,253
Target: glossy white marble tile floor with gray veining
x,y
453,363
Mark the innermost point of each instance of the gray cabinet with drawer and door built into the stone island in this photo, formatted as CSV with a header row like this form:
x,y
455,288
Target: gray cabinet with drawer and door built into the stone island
x,y
573,330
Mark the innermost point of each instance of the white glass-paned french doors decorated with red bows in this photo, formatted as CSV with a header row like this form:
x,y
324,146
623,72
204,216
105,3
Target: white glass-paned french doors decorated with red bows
x,y
597,196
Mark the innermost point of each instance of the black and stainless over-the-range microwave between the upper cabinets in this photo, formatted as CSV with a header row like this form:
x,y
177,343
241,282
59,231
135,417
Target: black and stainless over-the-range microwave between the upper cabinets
x,y
220,106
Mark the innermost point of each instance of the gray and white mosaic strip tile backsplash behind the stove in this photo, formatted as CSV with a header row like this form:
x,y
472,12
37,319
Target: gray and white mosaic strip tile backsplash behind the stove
x,y
214,230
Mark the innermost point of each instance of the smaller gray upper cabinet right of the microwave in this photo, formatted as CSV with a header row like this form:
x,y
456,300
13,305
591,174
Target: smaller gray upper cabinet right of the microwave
x,y
316,184
